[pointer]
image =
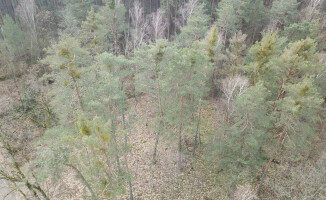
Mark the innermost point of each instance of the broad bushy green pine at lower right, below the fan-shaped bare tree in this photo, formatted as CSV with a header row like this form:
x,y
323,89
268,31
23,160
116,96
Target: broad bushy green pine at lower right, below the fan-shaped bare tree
x,y
236,148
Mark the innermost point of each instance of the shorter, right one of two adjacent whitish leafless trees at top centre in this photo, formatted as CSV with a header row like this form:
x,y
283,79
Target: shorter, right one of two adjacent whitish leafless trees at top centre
x,y
157,25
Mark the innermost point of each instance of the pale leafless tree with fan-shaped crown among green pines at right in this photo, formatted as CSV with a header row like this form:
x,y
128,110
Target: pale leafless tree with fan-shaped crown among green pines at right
x,y
233,87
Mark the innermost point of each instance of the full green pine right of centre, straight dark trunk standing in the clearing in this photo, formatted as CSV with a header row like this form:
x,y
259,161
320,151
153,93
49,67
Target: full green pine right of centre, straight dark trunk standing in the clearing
x,y
186,76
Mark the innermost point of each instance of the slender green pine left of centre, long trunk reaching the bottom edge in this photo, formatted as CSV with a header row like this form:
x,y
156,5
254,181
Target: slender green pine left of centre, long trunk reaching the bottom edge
x,y
114,72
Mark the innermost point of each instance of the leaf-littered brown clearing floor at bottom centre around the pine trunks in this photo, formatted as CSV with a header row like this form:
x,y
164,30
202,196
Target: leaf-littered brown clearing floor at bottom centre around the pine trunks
x,y
163,180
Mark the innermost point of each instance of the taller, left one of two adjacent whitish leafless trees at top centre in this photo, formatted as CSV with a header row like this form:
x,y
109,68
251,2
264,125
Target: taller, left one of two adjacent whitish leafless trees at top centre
x,y
139,25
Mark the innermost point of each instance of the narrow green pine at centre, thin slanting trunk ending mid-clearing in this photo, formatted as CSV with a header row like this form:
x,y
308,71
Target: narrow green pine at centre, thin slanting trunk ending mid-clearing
x,y
150,60
